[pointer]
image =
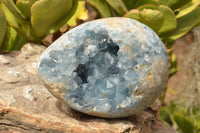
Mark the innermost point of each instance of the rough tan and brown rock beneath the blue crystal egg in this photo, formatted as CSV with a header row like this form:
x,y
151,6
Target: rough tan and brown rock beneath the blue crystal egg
x,y
27,107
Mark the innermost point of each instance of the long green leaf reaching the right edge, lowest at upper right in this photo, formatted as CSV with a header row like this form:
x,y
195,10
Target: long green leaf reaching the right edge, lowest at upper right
x,y
184,25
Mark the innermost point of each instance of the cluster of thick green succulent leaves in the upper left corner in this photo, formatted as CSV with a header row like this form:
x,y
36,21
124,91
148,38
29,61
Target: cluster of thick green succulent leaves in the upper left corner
x,y
32,20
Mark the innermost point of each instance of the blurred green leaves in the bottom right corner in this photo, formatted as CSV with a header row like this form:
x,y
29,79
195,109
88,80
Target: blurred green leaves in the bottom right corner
x,y
177,115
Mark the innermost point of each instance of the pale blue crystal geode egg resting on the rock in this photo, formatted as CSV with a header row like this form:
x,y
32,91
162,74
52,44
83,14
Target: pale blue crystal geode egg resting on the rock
x,y
113,67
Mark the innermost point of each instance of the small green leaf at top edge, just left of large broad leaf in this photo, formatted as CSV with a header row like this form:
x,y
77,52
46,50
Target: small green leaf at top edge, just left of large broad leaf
x,y
25,7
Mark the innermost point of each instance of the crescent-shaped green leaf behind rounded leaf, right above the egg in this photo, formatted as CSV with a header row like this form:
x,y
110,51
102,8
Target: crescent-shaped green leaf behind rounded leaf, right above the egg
x,y
169,22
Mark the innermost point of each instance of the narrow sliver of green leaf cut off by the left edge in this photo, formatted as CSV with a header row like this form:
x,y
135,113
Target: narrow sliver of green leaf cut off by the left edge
x,y
2,27
